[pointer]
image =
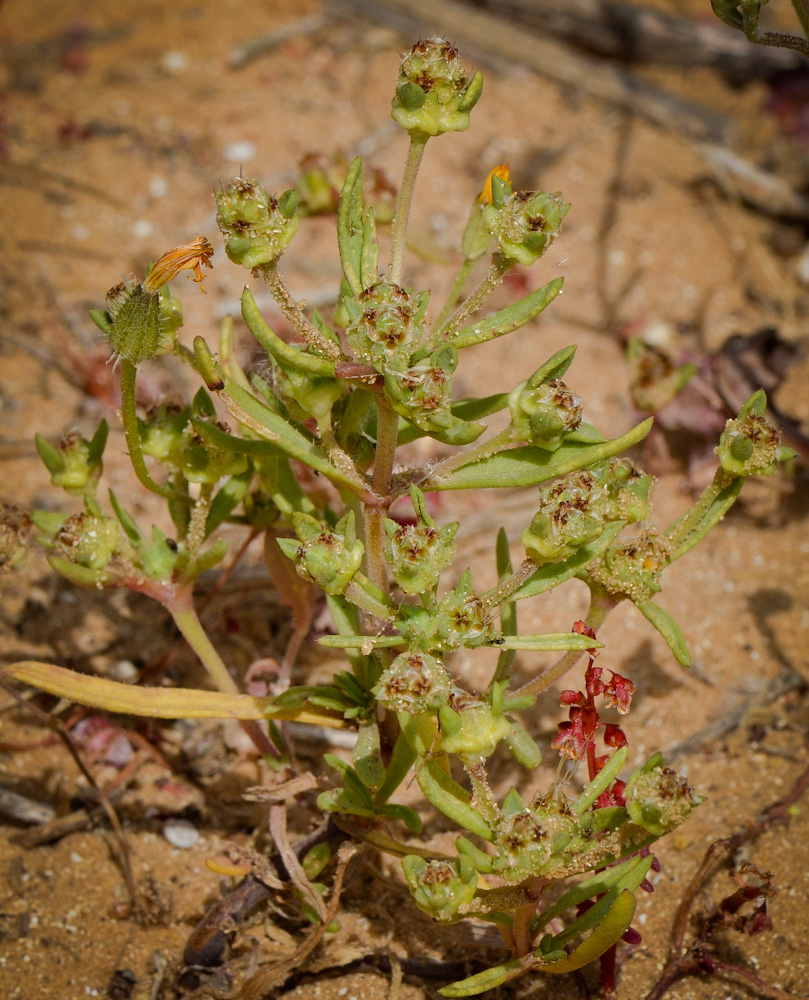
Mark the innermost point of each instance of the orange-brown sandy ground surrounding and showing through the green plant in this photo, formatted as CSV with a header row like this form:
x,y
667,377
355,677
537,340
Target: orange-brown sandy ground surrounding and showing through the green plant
x,y
115,126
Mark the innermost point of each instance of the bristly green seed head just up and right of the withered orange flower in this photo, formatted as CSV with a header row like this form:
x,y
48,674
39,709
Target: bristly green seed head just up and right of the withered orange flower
x,y
257,227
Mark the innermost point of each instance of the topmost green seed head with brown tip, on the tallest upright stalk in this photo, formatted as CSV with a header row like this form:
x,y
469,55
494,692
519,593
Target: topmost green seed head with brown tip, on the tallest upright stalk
x,y
432,94
